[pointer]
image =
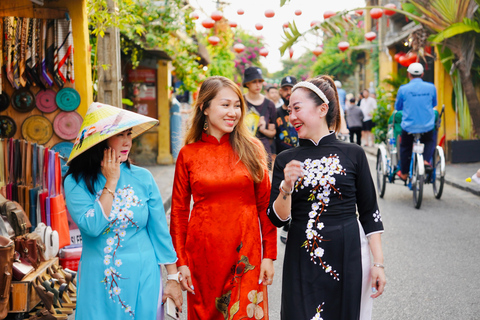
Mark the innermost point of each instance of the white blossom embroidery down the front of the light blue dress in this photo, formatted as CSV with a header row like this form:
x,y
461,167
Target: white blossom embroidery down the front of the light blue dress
x,y
120,218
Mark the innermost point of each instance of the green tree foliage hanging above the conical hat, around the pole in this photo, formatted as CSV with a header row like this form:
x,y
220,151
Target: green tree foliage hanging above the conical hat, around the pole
x,y
146,24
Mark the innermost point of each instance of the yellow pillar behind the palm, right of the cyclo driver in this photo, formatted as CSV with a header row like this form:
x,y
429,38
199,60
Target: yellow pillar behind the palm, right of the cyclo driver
x,y
443,83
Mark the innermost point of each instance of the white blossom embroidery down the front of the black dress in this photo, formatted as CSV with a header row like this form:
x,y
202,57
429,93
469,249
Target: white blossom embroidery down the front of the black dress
x,y
319,175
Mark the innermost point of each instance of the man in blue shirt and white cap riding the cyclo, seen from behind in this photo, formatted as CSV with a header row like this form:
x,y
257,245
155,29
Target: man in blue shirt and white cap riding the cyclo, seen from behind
x,y
416,99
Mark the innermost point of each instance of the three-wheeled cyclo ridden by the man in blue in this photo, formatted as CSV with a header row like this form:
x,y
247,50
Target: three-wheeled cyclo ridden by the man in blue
x,y
388,162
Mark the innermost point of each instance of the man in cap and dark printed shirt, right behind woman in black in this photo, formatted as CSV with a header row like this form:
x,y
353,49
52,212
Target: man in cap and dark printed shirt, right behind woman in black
x,y
286,137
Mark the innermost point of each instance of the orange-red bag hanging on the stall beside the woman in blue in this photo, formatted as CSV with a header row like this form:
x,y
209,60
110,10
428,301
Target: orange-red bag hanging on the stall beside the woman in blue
x,y
58,210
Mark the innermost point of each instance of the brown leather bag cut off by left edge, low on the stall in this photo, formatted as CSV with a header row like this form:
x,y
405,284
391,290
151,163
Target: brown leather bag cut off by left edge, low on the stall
x,y
6,264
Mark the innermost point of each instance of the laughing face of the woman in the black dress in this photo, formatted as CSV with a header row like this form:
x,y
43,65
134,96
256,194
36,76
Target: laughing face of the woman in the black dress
x,y
305,116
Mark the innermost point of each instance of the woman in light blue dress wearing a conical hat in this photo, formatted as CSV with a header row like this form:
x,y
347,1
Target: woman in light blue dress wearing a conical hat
x,y
118,209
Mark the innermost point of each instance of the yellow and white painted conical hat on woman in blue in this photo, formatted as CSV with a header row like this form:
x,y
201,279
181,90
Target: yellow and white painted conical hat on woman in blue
x,y
103,121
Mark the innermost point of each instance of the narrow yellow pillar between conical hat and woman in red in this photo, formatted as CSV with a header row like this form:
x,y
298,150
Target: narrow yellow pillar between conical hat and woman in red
x,y
163,100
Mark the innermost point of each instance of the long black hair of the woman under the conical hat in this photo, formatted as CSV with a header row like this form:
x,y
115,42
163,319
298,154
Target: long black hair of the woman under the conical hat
x,y
87,165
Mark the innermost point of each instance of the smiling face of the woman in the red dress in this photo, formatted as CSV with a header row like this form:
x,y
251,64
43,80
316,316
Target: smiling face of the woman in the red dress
x,y
223,113
